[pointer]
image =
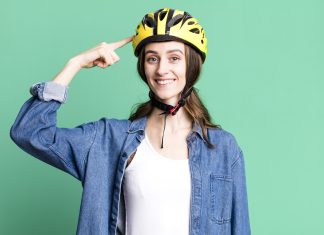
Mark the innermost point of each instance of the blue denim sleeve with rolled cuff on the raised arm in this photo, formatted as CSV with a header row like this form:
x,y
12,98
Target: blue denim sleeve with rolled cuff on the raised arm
x,y
35,131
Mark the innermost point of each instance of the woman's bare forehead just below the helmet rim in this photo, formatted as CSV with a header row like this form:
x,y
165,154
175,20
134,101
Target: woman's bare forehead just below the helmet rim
x,y
165,47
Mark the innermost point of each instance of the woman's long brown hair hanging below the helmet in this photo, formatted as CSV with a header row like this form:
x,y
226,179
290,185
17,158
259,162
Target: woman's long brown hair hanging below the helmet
x,y
194,106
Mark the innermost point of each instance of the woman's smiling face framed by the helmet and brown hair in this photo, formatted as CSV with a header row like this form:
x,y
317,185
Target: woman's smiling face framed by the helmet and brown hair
x,y
165,69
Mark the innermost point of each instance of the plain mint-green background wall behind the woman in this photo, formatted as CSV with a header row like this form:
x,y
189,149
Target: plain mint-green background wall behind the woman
x,y
262,81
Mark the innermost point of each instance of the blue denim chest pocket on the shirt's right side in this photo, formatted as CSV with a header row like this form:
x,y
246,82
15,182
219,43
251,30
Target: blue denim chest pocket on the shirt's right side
x,y
221,187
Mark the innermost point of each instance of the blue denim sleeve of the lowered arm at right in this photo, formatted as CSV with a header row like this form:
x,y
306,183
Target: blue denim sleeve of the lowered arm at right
x,y
240,211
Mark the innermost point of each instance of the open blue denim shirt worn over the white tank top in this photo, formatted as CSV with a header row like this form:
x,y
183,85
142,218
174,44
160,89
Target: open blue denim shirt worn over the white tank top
x,y
96,153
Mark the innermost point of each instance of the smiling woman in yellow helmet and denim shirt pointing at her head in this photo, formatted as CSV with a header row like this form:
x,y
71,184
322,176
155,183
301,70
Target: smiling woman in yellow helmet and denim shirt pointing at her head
x,y
166,169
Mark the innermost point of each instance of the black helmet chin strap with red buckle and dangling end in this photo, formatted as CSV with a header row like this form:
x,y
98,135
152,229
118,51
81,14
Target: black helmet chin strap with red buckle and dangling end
x,y
168,109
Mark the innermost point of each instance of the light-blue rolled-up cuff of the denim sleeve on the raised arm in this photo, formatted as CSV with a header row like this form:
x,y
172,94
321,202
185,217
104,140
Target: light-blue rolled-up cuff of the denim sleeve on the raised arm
x,y
47,91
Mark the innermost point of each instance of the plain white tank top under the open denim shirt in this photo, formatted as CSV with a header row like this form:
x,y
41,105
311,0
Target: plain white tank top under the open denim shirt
x,y
157,193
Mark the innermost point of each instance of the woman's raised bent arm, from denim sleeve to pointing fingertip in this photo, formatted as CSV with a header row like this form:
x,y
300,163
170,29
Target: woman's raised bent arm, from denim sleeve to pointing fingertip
x,y
35,128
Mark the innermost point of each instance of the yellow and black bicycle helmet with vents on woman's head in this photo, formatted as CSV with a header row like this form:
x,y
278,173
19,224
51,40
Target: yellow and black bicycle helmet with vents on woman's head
x,y
170,24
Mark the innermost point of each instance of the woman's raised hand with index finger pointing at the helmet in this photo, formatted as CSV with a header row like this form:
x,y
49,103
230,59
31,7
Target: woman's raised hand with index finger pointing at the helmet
x,y
103,55
